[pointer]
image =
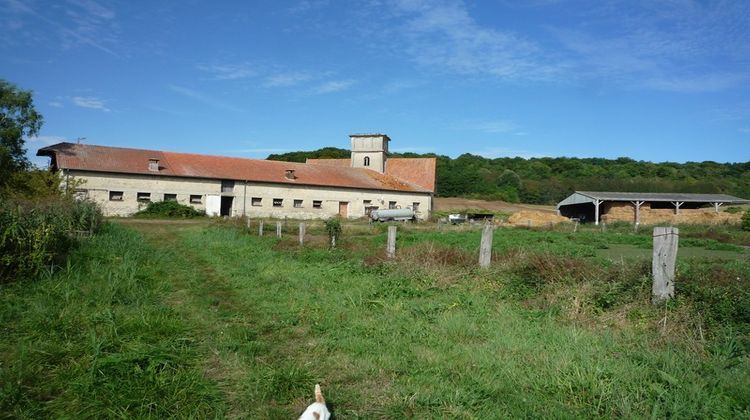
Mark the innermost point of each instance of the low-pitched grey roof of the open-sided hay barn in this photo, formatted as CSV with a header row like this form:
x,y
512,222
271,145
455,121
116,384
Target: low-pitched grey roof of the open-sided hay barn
x,y
580,197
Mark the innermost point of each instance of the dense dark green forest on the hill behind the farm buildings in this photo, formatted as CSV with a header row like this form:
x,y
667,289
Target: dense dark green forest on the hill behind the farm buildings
x,y
549,180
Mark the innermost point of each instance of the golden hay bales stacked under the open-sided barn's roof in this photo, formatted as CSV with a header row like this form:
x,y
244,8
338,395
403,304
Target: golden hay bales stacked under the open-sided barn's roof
x,y
625,212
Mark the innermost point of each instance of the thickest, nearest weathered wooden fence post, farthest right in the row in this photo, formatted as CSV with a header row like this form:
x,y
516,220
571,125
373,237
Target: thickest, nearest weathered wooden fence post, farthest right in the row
x,y
663,262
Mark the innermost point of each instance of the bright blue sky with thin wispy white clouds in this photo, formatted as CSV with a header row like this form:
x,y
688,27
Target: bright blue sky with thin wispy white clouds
x,y
654,80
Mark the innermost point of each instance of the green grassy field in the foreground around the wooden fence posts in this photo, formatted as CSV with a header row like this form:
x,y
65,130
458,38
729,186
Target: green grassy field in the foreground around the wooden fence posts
x,y
192,320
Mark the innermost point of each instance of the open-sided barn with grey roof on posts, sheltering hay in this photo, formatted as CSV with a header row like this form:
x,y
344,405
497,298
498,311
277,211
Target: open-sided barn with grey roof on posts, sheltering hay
x,y
647,208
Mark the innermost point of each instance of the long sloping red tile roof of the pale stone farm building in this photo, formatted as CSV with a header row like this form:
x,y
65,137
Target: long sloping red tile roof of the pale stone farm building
x,y
135,161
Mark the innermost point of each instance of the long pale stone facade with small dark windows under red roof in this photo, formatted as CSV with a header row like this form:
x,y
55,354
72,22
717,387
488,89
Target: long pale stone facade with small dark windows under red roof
x,y
118,195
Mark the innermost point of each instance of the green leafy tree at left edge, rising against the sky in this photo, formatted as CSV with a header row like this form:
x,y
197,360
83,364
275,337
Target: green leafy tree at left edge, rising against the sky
x,y
18,119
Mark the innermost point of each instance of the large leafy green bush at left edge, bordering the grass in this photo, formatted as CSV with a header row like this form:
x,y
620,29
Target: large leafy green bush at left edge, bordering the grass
x,y
34,234
